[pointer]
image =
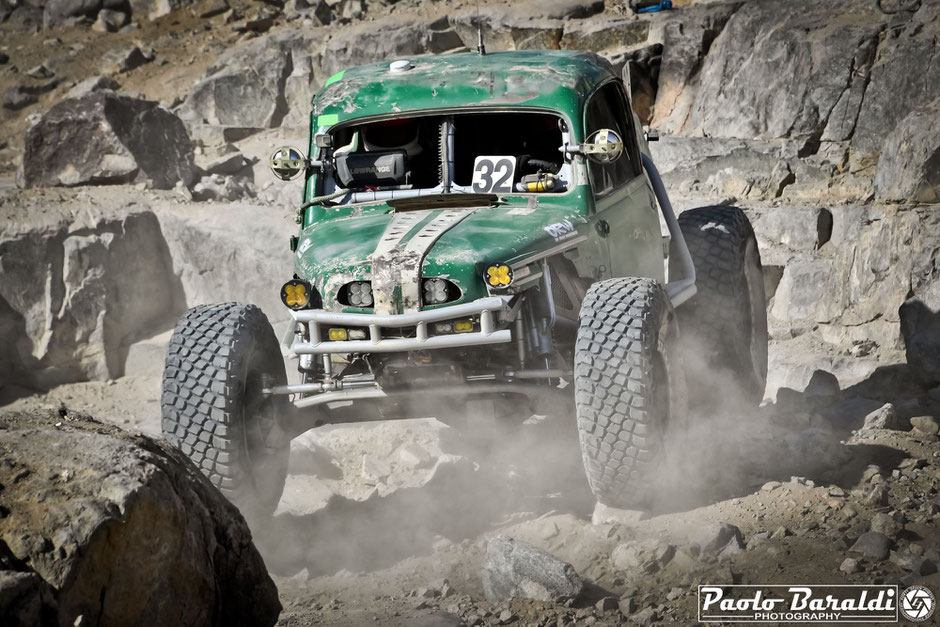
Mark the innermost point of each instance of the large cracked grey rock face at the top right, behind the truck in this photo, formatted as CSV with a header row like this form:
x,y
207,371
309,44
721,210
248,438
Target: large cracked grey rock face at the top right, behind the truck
x,y
773,74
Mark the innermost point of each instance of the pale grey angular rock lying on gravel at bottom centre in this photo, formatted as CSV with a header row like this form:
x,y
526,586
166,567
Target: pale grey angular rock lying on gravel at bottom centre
x,y
515,569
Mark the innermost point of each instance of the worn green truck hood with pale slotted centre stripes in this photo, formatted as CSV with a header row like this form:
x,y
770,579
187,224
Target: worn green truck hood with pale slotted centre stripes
x,y
395,250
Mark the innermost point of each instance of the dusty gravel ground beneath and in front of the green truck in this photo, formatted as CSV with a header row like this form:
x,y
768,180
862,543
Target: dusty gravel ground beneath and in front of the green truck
x,y
375,516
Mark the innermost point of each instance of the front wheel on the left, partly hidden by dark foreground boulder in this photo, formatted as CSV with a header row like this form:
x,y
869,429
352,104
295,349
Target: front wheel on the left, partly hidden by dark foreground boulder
x,y
213,409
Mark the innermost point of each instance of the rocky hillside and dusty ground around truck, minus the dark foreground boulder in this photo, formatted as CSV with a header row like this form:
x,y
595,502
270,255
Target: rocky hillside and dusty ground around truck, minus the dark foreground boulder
x,y
133,184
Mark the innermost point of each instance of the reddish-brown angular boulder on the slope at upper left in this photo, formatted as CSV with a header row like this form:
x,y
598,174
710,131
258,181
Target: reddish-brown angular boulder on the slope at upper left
x,y
107,138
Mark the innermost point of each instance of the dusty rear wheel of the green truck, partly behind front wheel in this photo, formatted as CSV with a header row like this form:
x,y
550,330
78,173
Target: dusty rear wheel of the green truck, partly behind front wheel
x,y
725,323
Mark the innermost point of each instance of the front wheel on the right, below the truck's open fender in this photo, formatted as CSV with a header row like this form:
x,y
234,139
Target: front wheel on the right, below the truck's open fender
x,y
629,389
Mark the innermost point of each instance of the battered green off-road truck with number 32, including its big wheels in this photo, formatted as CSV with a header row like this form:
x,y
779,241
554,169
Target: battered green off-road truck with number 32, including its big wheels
x,y
479,233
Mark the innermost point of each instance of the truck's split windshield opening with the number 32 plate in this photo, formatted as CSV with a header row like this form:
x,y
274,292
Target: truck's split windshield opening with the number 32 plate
x,y
480,153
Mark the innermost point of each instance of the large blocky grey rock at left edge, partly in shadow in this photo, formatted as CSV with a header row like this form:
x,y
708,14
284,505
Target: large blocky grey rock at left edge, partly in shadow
x,y
110,281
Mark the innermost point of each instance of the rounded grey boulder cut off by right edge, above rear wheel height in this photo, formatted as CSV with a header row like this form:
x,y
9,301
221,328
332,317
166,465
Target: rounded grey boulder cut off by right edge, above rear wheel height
x,y
909,164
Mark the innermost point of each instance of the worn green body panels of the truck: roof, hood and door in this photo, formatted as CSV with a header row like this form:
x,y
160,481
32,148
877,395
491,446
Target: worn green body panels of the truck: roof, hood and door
x,y
339,244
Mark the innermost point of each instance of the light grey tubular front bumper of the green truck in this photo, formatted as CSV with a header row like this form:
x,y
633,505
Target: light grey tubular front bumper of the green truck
x,y
378,341
